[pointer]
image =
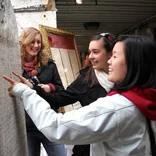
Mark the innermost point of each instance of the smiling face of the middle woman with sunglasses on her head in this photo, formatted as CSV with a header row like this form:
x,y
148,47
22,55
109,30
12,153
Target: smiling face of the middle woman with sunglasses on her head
x,y
98,55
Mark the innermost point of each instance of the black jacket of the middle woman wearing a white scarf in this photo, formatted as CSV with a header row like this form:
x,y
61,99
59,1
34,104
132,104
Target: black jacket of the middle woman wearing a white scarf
x,y
76,91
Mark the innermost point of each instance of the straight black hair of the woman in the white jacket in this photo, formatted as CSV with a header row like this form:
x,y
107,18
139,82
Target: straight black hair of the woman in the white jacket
x,y
140,54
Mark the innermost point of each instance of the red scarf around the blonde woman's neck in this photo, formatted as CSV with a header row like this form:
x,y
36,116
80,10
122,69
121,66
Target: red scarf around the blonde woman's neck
x,y
30,67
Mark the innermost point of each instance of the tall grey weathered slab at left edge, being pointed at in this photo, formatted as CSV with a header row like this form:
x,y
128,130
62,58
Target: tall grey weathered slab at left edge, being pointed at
x,y
12,117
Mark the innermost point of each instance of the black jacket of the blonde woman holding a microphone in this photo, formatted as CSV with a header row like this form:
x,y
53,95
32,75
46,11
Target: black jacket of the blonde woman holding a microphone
x,y
46,74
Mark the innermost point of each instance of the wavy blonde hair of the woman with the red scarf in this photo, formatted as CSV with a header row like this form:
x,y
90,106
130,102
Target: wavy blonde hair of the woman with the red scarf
x,y
26,38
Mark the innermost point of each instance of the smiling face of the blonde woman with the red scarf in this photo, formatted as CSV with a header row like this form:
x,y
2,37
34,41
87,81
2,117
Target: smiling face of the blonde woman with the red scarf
x,y
33,48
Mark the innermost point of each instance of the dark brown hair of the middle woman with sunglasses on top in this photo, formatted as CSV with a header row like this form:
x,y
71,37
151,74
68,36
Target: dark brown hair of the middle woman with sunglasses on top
x,y
90,78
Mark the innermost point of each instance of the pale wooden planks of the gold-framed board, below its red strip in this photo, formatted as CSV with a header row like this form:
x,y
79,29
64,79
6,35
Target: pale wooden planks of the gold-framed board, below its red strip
x,y
67,64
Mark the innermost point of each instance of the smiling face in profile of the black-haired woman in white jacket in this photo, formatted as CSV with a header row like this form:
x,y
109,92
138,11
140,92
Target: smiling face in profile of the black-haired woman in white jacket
x,y
117,64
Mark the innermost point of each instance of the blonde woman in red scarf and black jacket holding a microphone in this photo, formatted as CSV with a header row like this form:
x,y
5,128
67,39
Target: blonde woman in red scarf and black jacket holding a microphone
x,y
41,71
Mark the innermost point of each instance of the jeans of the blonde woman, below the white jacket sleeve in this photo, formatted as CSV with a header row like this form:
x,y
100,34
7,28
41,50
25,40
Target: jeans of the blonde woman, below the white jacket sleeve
x,y
35,138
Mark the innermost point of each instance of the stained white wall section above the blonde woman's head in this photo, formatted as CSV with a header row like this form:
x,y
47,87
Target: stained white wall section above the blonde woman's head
x,y
31,13
